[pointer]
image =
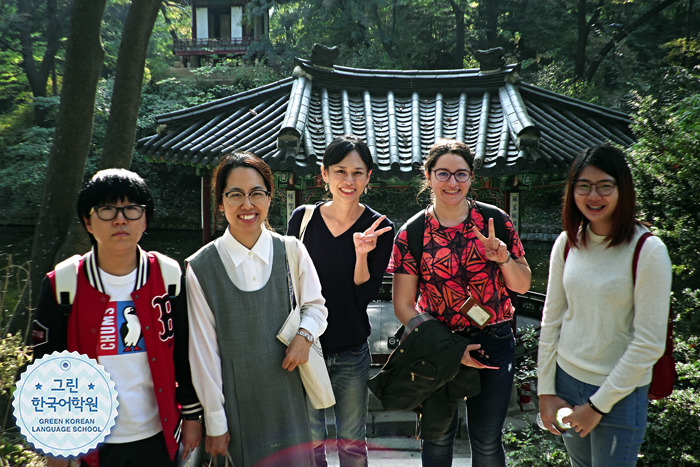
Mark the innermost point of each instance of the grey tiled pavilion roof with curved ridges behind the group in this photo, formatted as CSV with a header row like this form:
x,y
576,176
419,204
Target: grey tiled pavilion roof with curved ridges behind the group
x,y
510,126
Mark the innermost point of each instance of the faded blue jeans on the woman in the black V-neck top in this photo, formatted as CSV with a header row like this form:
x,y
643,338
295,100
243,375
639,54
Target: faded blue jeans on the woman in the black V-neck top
x,y
349,372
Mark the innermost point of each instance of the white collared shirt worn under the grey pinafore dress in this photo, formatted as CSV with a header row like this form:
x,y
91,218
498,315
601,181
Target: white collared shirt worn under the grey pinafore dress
x,y
252,271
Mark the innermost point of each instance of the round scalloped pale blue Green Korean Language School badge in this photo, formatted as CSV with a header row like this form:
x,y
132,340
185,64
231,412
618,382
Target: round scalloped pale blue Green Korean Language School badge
x,y
65,404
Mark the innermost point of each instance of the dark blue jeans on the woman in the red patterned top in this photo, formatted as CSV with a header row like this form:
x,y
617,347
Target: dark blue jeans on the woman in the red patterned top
x,y
486,412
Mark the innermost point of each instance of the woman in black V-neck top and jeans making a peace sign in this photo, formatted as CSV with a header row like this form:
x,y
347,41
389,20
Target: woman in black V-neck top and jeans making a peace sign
x,y
350,244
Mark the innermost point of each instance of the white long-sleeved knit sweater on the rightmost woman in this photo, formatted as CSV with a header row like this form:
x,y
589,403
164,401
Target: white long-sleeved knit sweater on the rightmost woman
x,y
596,325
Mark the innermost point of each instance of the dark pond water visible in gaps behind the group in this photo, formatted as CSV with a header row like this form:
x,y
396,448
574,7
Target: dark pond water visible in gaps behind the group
x,y
179,244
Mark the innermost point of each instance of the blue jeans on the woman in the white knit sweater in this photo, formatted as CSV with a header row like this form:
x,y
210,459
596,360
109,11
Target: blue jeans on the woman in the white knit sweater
x,y
616,440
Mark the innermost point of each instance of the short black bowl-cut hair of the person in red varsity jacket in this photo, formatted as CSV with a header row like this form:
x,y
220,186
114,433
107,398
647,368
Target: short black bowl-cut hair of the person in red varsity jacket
x,y
111,186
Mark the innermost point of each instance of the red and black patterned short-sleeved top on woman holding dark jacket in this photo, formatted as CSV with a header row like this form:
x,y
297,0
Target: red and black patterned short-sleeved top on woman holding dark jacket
x,y
454,267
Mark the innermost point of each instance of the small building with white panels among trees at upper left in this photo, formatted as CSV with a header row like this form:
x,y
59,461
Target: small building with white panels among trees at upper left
x,y
220,28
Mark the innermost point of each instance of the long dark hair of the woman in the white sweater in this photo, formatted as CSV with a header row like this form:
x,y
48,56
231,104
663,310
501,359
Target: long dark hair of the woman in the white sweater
x,y
611,161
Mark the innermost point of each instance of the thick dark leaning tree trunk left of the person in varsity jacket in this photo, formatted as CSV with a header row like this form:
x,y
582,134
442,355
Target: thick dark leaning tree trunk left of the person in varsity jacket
x,y
64,173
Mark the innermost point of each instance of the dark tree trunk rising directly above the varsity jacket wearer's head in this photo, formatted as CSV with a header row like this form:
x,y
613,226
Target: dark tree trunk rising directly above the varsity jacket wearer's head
x,y
126,97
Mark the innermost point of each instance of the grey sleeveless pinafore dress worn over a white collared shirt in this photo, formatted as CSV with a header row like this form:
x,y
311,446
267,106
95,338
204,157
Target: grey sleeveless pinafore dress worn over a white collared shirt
x,y
265,404
